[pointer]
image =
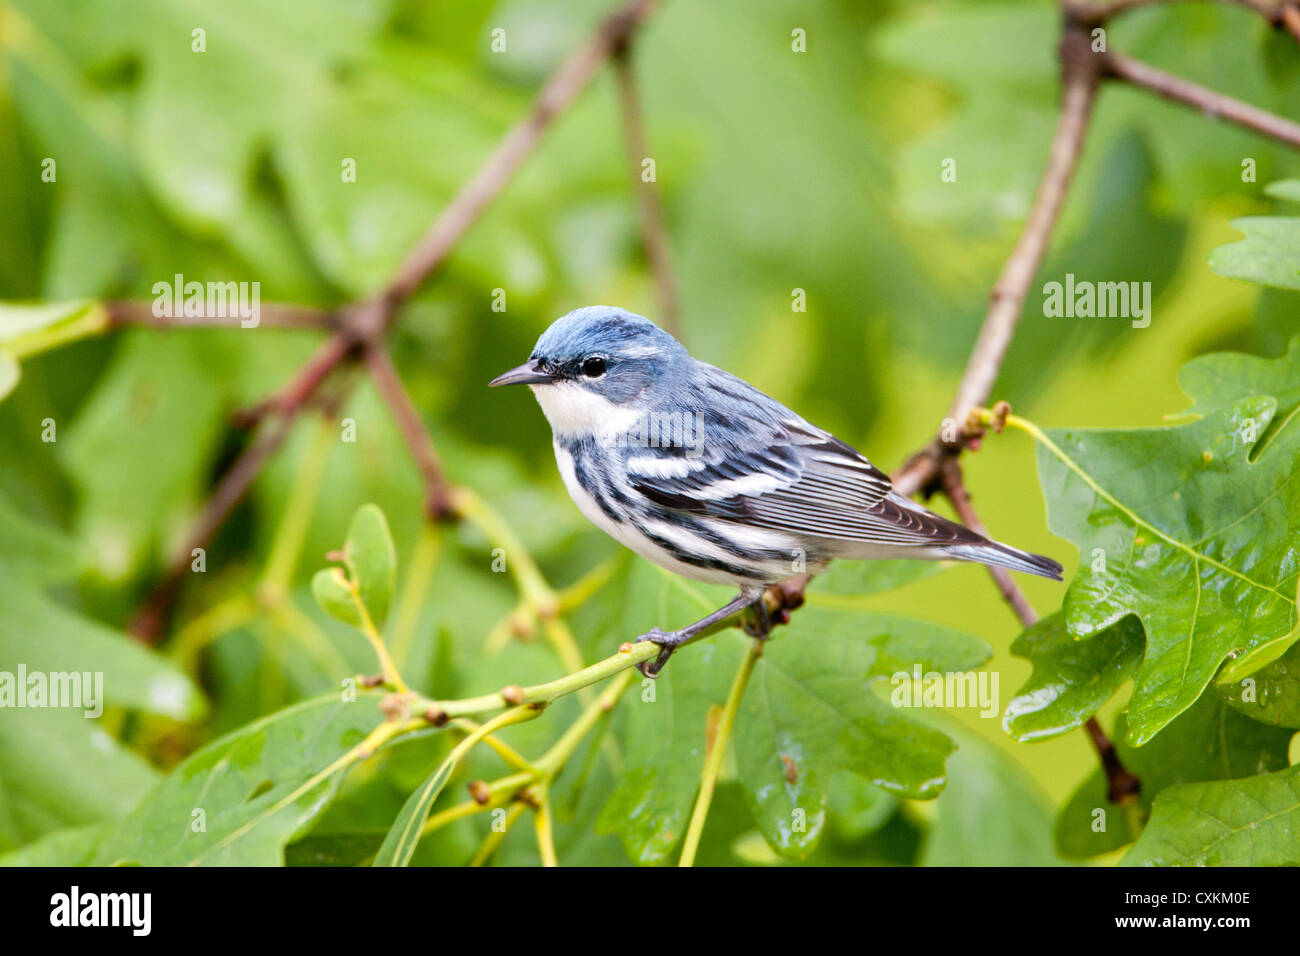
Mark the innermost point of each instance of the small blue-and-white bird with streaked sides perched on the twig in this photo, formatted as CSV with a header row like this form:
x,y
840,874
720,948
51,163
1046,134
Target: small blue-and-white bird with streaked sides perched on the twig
x,y
707,477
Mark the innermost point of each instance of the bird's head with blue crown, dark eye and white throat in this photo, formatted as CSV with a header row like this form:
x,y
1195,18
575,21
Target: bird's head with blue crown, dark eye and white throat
x,y
597,369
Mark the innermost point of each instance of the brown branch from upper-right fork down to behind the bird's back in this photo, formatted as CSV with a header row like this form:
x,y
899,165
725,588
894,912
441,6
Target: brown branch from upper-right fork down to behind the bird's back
x,y
1081,79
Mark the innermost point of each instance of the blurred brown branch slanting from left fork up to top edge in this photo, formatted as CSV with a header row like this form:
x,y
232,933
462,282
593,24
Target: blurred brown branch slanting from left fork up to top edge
x,y
560,92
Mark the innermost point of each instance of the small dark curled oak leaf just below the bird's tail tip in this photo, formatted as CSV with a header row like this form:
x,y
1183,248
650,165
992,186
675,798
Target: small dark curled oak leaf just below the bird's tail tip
x,y
1072,678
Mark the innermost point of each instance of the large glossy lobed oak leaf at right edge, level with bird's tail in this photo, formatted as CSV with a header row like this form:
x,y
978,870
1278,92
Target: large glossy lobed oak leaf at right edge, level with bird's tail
x,y
1190,527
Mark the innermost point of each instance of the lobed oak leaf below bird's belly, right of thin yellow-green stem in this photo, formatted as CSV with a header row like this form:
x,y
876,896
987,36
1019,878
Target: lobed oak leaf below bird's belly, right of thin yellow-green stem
x,y
811,711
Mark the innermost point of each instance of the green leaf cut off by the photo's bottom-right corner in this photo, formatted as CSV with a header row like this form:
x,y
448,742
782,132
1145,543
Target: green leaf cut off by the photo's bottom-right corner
x,y
1249,823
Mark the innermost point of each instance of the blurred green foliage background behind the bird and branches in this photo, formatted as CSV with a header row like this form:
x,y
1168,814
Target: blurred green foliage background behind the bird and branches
x,y
778,171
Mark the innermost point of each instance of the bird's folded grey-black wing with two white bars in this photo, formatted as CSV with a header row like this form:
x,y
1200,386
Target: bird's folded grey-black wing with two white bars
x,y
798,479
